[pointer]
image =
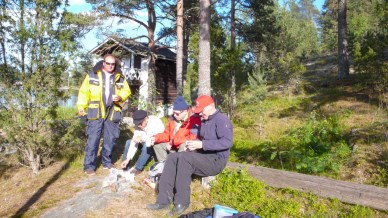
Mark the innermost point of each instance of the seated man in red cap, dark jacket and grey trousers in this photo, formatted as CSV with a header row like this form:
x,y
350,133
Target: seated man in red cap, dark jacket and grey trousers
x,y
205,157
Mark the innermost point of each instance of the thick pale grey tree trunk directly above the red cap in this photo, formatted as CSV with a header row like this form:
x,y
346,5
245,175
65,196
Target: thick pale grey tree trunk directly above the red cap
x,y
204,85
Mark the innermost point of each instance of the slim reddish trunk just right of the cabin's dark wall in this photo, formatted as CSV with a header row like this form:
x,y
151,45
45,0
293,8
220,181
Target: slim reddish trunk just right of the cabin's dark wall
x,y
179,54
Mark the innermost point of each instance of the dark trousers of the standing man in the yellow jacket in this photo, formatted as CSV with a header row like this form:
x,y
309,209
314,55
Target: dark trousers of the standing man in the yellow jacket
x,y
111,132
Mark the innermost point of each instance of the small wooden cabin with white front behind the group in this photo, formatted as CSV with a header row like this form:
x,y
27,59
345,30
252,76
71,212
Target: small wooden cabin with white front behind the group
x,y
134,57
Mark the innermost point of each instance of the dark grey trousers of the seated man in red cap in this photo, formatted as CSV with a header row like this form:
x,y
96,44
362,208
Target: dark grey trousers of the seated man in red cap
x,y
177,172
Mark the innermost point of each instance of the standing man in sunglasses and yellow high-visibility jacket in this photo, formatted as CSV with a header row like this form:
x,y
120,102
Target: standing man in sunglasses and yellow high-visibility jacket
x,y
102,92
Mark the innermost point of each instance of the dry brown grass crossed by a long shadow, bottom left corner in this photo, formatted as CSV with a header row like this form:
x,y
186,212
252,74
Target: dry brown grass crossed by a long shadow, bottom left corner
x,y
24,194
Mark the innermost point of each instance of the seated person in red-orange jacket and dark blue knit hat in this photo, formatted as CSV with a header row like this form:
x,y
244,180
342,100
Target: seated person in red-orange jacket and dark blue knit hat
x,y
183,125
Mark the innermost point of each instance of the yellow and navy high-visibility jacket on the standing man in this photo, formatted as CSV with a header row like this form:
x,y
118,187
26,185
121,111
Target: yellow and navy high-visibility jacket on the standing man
x,y
90,96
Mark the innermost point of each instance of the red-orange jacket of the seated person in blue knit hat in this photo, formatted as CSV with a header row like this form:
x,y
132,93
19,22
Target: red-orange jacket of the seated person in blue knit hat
x,y
189,130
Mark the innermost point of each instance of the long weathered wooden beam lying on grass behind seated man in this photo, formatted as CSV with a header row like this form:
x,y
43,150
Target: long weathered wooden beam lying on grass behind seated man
x,y
367,195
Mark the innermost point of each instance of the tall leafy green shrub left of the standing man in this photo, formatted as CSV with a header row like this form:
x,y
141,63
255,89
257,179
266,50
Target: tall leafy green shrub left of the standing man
x,y
37,47
